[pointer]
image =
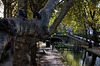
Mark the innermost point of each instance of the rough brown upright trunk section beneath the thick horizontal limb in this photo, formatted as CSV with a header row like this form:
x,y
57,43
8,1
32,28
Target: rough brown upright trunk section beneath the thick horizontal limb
x,y
22,48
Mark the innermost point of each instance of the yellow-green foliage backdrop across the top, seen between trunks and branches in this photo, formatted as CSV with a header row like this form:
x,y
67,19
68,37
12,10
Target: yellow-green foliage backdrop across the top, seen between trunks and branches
x,y
77,18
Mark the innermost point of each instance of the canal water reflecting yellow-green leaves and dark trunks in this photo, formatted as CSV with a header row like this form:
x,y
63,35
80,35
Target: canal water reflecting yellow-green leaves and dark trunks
x,y
78,57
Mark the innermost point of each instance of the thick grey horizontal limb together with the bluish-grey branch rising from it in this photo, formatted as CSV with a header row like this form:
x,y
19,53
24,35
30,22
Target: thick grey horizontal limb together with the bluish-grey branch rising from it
x,y
33,27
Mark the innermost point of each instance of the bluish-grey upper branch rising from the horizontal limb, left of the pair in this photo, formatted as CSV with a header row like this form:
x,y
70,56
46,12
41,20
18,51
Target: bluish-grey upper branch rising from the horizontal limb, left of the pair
x,y
46,13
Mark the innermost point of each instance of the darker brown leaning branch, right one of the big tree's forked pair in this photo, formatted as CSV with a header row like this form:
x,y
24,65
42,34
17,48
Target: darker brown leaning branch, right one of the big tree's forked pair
x,y
67,5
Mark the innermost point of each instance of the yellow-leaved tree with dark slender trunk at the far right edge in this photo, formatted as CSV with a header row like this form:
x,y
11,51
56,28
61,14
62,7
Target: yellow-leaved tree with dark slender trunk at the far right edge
x,y
92,18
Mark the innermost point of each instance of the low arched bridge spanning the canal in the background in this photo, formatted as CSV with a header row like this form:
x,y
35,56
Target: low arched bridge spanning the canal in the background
x,y
66,39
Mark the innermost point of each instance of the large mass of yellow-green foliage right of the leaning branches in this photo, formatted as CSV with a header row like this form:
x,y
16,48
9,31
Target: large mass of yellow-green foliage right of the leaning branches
x,y
79,17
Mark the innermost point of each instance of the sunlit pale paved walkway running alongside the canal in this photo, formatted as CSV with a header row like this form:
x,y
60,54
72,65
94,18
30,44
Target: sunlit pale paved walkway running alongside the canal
x,y
49,57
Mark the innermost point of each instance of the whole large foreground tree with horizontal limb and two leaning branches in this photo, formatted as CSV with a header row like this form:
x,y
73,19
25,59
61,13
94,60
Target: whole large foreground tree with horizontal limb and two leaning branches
x,y
29,31
